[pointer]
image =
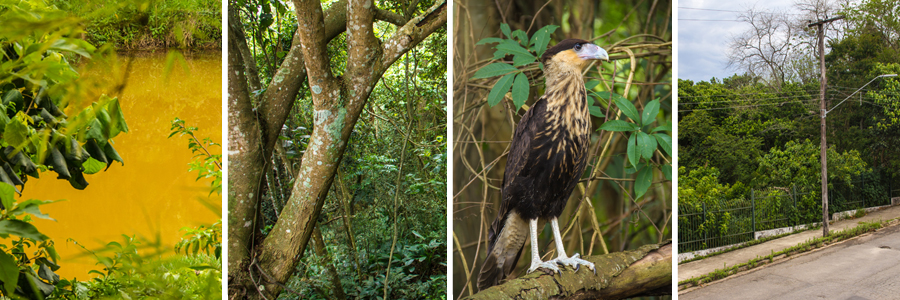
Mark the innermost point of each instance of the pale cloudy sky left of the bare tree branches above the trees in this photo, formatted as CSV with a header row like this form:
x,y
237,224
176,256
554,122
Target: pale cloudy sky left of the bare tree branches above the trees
x,y
703,45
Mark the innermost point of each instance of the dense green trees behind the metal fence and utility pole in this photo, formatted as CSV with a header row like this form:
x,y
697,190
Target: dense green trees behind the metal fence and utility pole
x,y
746,134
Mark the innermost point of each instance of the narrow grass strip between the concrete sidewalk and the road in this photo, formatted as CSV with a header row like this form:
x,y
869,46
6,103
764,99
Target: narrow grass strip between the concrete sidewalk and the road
x,y
863,227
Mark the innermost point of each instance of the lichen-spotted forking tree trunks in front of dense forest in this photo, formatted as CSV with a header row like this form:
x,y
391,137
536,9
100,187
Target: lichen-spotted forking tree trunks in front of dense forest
x,y
337,102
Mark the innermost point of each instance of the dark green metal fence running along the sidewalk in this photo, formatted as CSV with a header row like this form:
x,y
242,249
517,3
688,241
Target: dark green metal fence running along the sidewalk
x,y
725,222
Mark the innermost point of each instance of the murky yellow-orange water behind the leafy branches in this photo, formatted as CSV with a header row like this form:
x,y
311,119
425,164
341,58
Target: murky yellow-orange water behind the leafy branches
x,y
153,194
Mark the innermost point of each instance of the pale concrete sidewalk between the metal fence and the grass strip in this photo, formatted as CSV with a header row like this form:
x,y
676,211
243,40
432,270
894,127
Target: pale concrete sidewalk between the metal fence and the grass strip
x,y
739,256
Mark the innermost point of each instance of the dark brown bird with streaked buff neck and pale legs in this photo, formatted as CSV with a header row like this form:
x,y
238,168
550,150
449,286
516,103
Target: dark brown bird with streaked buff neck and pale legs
x,y
547,156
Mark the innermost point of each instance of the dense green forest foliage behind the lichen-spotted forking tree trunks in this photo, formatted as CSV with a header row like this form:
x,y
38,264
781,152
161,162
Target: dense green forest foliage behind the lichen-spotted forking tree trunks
x,y
387,202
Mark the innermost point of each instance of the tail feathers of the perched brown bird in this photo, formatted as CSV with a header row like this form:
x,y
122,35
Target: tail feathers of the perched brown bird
x,y
505,242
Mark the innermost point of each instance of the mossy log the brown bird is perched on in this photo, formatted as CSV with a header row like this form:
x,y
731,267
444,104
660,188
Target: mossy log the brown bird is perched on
x,y
646,271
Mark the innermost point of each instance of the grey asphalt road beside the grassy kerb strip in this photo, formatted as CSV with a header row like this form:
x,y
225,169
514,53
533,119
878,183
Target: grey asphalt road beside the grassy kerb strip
x,y
866,267
